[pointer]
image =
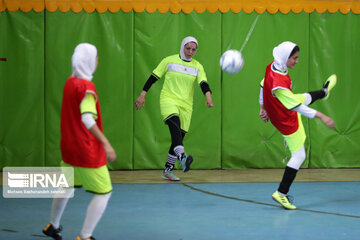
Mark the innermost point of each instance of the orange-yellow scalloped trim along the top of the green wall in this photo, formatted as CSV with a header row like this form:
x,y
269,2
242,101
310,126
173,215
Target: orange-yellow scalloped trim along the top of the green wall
x,y
186,6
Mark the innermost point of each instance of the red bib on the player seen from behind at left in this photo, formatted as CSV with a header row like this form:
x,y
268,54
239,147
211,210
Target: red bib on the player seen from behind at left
x,y
79,147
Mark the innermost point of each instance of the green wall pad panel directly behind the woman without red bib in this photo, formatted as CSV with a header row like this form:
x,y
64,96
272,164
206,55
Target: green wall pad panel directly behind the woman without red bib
x,y
157,36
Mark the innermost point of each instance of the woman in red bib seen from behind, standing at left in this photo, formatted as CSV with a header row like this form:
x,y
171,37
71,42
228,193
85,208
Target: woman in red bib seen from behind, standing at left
x,y
83,144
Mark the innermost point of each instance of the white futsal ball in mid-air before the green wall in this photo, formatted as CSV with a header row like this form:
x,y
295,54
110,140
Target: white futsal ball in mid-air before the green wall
x,y
231,61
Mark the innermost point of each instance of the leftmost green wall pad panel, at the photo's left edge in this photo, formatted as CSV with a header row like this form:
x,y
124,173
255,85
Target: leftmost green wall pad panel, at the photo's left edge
x,y
22,89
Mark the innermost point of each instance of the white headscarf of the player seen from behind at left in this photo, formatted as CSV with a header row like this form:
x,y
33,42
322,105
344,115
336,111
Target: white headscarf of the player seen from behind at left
x,y
84,61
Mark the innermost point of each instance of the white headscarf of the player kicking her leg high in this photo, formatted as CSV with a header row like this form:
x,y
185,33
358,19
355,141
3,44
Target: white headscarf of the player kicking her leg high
x,y
281,54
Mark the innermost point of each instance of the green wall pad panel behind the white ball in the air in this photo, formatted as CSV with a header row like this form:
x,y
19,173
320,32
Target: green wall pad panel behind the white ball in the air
x,y
247,142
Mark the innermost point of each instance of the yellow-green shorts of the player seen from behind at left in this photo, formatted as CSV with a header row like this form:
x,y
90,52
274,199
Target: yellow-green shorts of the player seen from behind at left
x,y
94,180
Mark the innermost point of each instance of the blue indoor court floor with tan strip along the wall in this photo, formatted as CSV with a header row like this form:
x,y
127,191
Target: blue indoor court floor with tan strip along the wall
x,y
205,204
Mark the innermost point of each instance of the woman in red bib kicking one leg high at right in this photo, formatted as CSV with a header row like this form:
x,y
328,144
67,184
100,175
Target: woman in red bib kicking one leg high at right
x,y
284,109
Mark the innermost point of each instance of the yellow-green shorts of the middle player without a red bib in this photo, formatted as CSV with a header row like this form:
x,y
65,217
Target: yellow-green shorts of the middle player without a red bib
x,y
170,107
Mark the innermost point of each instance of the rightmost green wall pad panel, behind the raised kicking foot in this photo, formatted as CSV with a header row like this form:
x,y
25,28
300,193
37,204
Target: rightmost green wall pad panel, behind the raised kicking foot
x,y
334,41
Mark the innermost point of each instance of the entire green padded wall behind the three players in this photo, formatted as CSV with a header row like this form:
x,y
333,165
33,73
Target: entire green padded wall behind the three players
x,y
38,48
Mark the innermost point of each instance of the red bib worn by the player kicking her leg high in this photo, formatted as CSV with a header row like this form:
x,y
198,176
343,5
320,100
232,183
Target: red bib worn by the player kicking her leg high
x,y
284,120
